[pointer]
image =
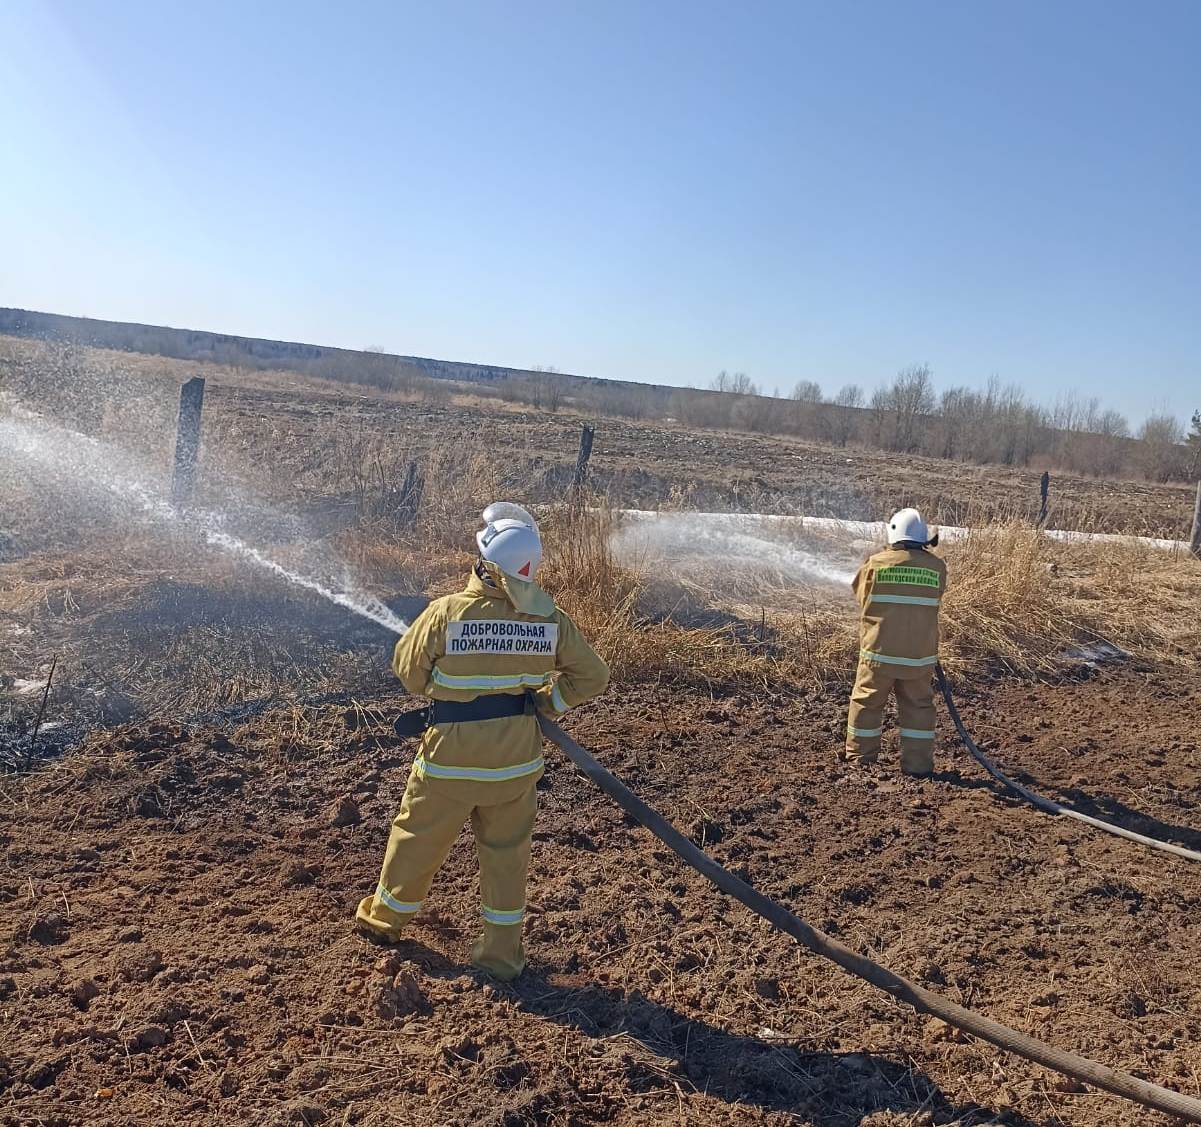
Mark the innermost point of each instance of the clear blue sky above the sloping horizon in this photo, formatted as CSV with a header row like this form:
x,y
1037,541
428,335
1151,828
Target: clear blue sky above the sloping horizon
x,y
641,190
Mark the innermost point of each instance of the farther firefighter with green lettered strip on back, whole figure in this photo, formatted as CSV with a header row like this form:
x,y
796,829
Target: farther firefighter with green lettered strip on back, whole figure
x,y
900,592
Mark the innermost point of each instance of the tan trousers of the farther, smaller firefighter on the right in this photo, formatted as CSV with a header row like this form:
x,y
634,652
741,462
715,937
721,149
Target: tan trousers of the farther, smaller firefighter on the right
x,y
916,711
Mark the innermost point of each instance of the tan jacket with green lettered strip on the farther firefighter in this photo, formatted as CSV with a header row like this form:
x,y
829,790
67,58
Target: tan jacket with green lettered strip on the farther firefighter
x,y
900,592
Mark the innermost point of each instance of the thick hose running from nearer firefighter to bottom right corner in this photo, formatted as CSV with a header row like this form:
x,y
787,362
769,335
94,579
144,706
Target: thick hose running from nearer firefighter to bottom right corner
x,y
924,1001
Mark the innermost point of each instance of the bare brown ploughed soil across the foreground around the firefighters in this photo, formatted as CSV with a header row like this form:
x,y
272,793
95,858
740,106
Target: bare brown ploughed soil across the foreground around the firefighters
x,y
177,947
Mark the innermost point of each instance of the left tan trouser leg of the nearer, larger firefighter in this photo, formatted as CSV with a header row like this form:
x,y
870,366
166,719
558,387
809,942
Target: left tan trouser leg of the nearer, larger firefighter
x,y
422,836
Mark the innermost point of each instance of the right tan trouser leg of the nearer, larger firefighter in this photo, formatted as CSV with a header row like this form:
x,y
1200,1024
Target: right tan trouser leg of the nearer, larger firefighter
x,y
503,842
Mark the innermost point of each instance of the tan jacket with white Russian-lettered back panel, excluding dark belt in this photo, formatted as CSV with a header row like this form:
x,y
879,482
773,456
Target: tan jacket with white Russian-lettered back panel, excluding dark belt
x,y
477,643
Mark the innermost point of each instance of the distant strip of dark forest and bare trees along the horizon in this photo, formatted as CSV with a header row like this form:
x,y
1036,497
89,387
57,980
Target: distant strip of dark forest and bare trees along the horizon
x,y
997,425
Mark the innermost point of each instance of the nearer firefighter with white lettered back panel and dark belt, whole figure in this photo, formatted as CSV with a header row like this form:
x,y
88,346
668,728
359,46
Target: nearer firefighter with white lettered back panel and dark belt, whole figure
x,y
487,657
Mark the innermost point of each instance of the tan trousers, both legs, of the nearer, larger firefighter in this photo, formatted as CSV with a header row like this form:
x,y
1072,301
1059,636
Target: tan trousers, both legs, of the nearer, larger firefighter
x,y
432,814
